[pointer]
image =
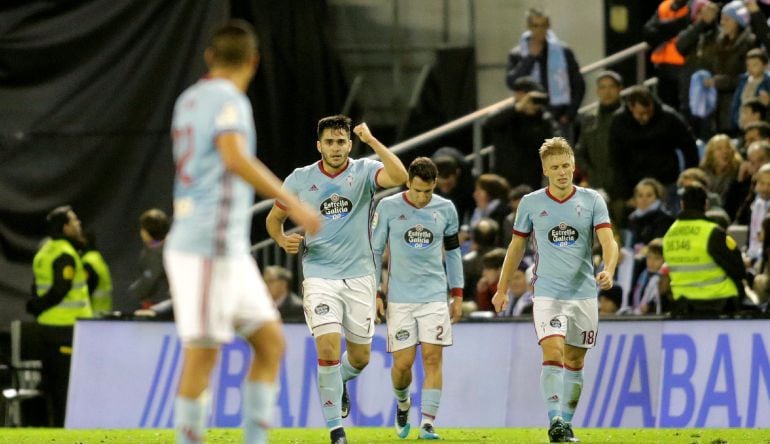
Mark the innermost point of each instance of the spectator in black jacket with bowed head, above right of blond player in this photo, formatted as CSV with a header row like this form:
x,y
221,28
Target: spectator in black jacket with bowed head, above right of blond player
x,y
644,138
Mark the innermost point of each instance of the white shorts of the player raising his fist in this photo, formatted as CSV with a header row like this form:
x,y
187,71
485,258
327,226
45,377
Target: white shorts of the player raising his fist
x,y
334,305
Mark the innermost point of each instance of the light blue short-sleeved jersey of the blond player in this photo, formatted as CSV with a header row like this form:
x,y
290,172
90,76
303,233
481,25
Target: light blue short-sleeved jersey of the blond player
x,y
564,232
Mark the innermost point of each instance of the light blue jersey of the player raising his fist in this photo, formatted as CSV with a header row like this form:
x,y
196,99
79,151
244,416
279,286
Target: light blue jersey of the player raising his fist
x,y
341,249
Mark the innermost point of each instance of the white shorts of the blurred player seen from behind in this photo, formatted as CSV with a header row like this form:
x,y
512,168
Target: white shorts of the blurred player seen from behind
x,y
214,297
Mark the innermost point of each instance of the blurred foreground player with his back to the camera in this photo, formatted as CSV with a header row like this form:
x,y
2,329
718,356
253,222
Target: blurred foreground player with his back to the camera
x,y
214,281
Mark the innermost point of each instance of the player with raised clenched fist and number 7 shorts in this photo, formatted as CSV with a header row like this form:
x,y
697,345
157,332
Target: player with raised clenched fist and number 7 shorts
x,y
339,285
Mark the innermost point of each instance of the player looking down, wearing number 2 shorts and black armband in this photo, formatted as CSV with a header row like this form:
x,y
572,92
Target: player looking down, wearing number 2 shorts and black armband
x,y
417,227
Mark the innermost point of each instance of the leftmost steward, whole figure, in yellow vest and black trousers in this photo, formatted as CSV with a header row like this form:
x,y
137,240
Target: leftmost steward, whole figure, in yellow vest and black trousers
x,y
60,297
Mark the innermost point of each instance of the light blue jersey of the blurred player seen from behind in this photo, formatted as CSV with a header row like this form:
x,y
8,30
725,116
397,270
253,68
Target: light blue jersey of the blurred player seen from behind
x,y
211,205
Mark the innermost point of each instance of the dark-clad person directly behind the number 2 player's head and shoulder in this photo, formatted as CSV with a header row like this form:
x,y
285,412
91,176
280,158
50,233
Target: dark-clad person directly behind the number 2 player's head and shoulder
x,y
455,180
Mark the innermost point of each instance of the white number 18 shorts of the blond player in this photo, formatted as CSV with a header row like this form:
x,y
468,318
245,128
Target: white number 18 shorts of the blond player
x,y
577,321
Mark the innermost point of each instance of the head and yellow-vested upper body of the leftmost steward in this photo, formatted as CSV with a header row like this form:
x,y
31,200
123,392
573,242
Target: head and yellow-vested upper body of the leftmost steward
x,y
61,290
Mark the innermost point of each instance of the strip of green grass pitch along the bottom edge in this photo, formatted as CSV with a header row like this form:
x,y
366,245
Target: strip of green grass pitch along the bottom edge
x,y
386,435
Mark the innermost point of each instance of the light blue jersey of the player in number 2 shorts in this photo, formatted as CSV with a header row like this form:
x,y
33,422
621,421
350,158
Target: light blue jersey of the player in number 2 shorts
x,y
416,240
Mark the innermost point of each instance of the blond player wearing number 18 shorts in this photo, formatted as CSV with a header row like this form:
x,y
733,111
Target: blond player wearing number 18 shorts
x,y
563,218
